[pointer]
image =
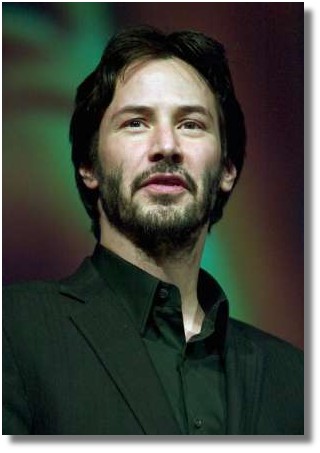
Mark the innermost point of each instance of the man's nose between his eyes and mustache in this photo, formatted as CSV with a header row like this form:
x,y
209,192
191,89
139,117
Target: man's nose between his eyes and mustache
x,y
165,145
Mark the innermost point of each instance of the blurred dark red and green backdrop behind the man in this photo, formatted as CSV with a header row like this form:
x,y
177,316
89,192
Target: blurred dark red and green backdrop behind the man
x,y
256,252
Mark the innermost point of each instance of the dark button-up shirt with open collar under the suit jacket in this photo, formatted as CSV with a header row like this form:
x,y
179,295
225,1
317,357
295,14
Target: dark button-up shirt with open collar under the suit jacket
x,y
192,373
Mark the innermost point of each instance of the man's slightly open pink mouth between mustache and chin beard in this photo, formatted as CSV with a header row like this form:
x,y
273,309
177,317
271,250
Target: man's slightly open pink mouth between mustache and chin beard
x,y
165,183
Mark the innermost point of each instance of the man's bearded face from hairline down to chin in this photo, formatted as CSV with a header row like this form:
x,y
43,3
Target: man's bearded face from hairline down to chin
x,y
159,154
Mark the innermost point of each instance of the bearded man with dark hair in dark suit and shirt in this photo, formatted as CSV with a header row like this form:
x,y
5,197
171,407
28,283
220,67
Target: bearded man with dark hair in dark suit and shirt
x,y
138,340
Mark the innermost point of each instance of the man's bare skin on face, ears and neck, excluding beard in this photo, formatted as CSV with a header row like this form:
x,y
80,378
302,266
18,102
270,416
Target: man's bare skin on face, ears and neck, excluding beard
x,y
162,110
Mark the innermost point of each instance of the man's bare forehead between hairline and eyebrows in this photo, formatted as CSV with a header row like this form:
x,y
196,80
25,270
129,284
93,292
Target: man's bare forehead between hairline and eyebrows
x,y
169,80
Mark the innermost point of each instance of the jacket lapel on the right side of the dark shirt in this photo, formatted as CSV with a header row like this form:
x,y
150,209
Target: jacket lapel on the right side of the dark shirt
x,y
244,373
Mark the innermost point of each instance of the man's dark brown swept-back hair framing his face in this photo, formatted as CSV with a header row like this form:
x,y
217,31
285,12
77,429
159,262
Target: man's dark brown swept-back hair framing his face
x,y
95,94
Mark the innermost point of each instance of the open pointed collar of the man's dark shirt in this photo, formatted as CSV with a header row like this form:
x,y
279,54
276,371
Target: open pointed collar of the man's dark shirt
x,y
137,290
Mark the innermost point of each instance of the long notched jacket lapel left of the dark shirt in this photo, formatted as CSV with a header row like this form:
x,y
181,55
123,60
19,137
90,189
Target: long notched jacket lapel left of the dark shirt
x,y
117,344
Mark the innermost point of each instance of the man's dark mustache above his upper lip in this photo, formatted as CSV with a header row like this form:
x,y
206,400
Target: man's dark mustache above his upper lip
x,y
164,167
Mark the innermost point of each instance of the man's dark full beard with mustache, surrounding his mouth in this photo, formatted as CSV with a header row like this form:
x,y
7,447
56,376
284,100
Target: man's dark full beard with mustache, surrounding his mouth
x,y
161,226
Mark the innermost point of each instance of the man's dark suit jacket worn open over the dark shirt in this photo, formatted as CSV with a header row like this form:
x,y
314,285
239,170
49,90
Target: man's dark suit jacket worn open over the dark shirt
x,y
74,363
